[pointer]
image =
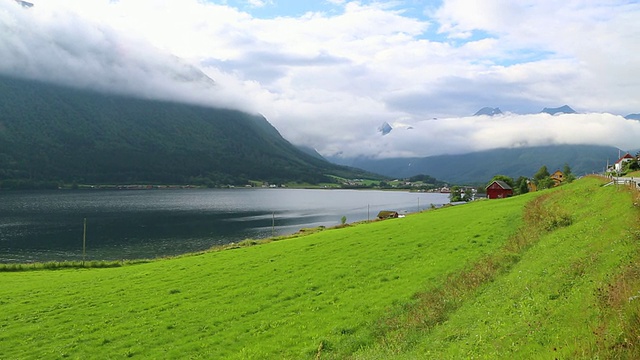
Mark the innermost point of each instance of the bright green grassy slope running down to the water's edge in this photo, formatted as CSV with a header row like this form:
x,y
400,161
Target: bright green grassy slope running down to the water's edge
x,y
550,274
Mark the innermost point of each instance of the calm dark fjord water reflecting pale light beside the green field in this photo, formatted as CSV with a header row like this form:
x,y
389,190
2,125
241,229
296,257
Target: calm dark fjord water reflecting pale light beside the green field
x,y
135,224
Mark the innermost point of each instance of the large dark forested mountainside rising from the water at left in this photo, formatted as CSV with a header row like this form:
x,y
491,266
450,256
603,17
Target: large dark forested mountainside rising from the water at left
x,y
53,133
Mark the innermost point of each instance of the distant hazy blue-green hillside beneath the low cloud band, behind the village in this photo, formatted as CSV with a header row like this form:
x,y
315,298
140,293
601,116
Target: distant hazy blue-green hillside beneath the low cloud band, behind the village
x,y
480,167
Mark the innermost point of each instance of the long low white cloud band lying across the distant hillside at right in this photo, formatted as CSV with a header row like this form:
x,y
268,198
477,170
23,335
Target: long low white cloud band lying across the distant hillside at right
x,y
477,133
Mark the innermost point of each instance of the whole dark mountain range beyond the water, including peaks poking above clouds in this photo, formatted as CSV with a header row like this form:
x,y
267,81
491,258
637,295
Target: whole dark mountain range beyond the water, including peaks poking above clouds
x,y
52,133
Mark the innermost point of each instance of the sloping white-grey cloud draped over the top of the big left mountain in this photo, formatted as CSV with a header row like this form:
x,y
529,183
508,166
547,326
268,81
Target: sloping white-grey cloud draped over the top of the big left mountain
x,y
62,46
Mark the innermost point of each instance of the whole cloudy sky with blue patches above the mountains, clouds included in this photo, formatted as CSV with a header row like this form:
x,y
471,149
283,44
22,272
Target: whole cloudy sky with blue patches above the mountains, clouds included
x,y
328,73
